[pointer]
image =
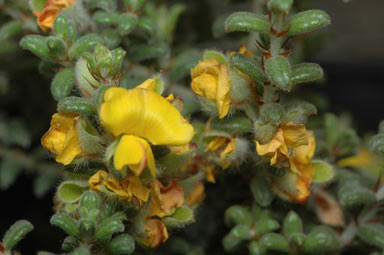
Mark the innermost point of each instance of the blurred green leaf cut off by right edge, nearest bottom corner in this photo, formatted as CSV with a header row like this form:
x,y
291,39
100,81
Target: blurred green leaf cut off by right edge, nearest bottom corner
x,y
372,234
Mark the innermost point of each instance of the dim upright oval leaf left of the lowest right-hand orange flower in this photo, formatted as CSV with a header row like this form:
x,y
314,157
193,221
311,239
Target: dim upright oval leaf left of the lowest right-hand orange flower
x,y
261,191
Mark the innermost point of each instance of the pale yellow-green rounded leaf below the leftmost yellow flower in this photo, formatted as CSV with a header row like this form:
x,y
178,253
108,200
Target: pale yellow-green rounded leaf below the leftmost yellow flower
x,y
71,191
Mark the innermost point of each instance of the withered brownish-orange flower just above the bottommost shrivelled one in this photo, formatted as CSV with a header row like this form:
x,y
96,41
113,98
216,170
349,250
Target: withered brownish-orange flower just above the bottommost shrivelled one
x,y
165,200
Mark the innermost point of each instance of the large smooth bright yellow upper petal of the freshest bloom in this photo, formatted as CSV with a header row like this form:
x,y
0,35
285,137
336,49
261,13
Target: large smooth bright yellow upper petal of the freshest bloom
x,y
146,114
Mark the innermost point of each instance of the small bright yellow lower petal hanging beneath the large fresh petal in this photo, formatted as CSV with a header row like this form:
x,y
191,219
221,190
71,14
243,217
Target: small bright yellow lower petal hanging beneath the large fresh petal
x,y
134,152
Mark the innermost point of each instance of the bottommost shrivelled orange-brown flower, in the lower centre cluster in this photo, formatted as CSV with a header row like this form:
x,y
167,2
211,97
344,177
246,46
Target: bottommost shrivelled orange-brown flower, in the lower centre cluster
x,y
156,233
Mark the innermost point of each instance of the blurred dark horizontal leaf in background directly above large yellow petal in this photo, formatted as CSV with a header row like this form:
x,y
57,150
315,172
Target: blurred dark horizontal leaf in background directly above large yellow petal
x,y
144,52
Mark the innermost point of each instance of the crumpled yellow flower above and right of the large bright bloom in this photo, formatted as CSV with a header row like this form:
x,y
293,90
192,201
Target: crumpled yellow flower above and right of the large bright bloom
x,y
210,79
